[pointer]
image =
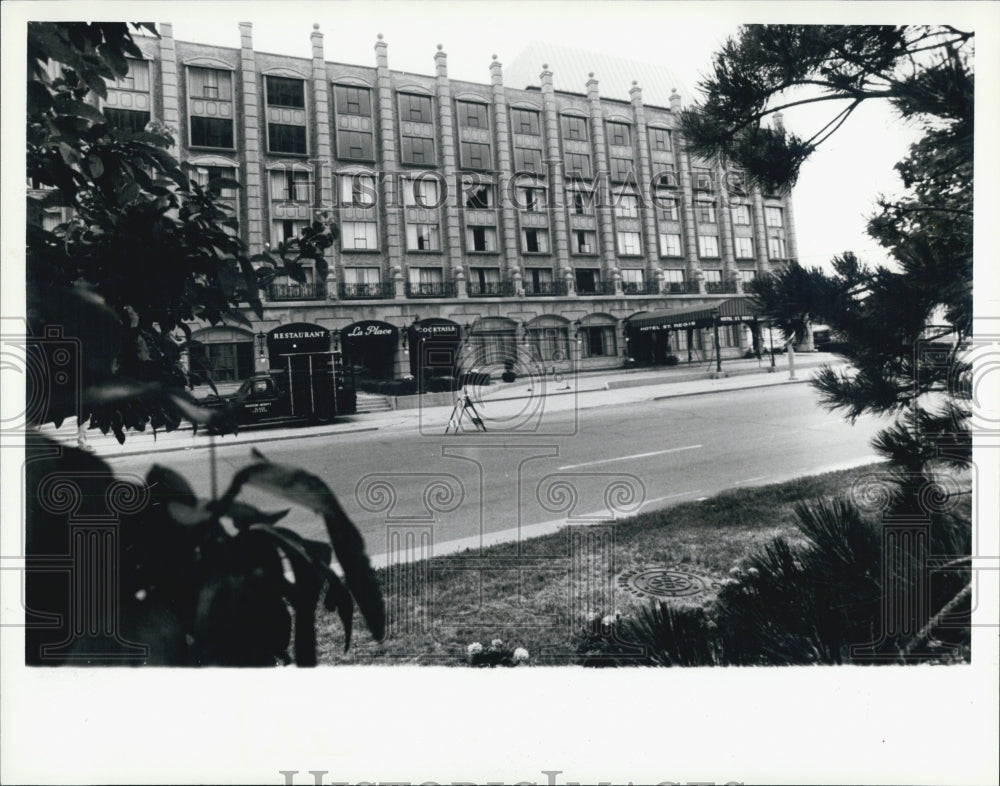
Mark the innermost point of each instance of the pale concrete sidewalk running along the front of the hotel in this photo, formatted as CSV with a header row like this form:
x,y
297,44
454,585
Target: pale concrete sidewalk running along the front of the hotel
x,y
503,407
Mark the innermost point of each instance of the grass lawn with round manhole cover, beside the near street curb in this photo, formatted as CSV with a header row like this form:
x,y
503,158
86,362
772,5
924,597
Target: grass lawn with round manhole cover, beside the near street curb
x,y
538,593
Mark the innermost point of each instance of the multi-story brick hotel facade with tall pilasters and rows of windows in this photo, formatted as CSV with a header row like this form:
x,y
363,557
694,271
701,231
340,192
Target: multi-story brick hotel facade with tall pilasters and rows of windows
x,y
522,226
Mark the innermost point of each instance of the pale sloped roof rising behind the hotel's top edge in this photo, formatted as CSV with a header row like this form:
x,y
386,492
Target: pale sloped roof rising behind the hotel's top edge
x,y
571,69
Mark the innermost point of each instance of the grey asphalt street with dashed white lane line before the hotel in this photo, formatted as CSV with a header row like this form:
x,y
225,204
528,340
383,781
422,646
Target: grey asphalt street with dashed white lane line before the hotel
x,y
526,477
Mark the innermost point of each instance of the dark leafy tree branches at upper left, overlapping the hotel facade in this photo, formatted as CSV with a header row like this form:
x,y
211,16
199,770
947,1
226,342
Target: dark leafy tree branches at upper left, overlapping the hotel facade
x,y
158,249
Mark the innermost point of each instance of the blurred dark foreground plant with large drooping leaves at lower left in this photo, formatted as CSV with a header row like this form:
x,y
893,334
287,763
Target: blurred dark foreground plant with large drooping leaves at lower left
x,y
204,582
